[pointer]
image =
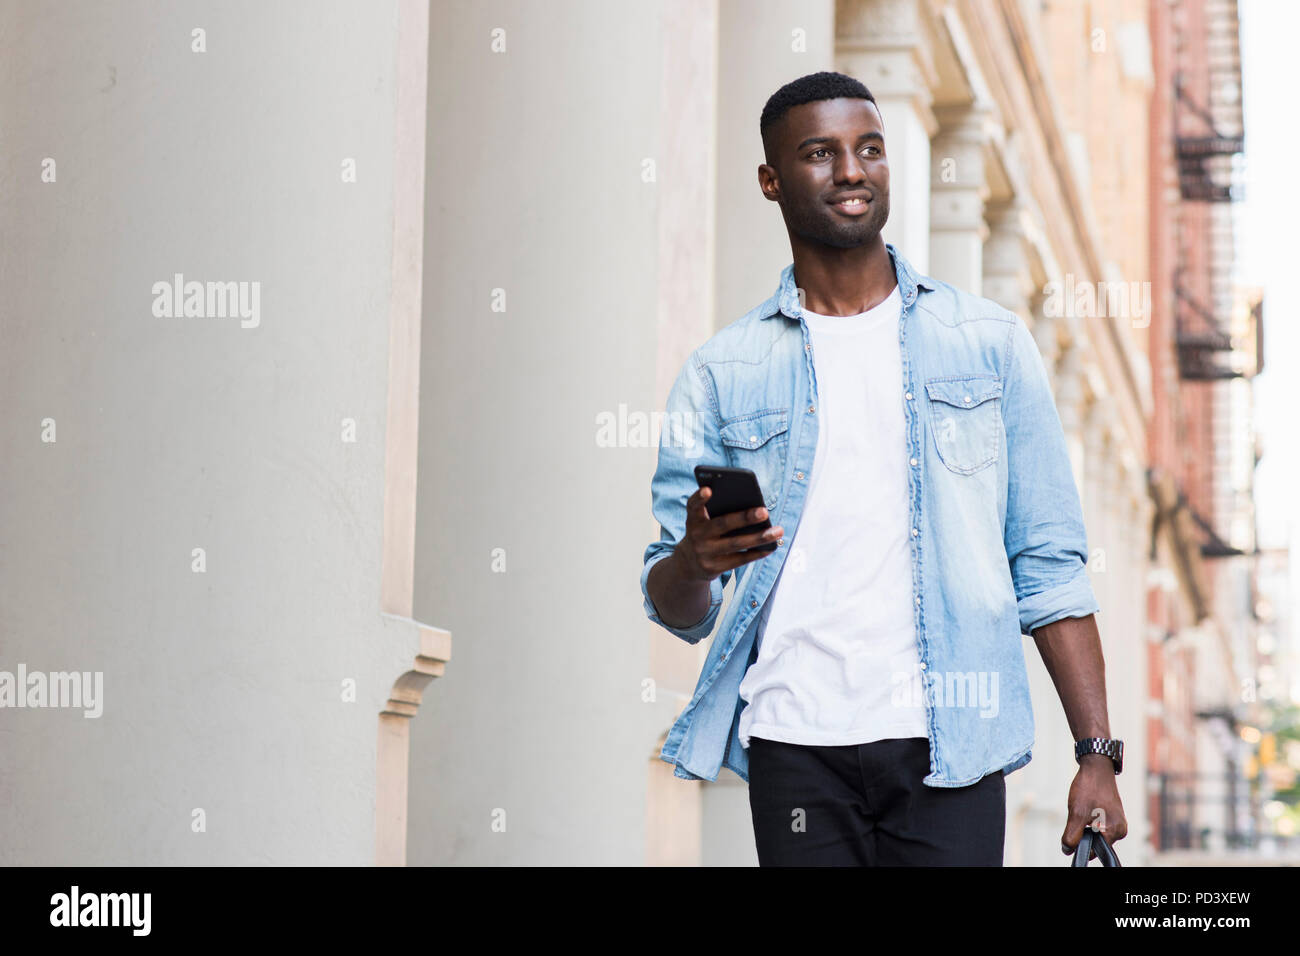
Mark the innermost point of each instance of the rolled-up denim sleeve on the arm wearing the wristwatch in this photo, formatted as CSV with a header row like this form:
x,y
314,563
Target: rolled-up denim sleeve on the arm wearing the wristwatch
x,y
1047,546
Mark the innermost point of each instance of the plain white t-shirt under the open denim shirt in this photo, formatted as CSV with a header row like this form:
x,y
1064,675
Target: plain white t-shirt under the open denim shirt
x,y
838,660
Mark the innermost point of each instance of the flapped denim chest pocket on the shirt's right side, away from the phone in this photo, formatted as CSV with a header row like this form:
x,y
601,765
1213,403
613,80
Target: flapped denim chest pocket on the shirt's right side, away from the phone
x,y
965,422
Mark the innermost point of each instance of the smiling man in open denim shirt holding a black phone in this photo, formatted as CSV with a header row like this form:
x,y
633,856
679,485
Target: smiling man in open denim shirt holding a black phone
x,y
869,678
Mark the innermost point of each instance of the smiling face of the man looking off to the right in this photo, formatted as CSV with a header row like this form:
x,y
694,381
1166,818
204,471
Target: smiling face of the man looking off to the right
x,y
827,155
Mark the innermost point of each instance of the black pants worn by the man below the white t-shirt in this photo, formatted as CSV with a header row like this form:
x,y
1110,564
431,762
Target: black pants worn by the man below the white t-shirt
x,y
865,806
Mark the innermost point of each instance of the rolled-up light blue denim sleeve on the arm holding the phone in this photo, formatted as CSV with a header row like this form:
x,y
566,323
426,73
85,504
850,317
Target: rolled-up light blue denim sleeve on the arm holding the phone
x,y
688,436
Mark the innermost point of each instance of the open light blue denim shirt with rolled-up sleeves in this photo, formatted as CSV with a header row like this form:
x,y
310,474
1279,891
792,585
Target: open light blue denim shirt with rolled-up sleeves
x,y
998,539
